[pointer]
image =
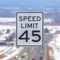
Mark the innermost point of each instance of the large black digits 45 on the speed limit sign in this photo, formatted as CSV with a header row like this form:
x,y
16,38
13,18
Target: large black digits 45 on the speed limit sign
x,y
34,33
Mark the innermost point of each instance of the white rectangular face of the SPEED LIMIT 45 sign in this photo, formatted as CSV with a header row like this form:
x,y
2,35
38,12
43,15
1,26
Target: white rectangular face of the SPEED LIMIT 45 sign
x,y
29,28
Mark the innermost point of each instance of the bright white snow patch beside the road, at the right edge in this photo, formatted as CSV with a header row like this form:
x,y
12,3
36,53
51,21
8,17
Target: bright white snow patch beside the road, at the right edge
x,y
55,45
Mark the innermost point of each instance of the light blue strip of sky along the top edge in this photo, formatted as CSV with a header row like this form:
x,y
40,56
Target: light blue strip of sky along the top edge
x,y
35,4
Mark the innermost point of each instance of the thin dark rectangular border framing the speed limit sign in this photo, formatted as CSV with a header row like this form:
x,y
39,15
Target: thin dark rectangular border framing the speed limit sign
x,y
42,29
